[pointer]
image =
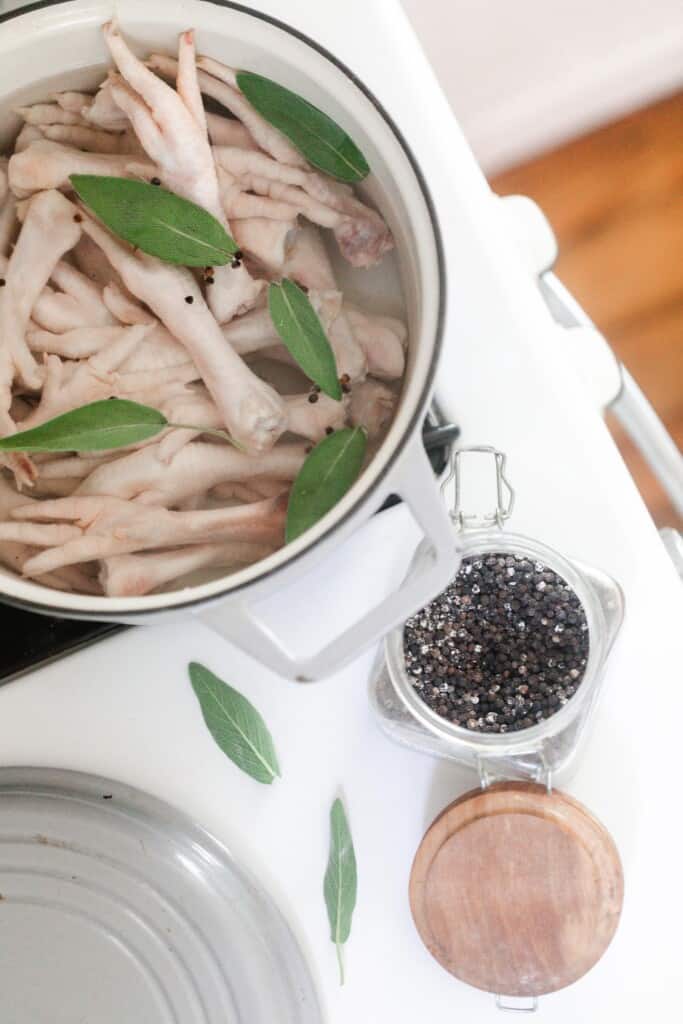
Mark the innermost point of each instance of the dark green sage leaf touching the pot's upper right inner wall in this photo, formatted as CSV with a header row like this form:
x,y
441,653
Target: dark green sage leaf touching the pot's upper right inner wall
x,y
322,142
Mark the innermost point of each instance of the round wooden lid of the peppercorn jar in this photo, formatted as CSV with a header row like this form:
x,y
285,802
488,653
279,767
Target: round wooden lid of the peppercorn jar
x,y
516,890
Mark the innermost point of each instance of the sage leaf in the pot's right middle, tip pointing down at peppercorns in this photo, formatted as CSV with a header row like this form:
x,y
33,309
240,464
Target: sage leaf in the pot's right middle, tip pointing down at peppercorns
x,y
300,327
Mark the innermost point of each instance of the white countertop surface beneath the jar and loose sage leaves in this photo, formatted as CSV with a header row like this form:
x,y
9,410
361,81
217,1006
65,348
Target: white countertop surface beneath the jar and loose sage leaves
x,y
125,709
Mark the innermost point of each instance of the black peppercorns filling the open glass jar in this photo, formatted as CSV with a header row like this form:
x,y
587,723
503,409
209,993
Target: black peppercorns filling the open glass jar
x,y
504,648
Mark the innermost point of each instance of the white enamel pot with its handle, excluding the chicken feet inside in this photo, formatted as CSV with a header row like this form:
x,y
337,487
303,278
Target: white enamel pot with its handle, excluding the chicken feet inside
x,y
60,46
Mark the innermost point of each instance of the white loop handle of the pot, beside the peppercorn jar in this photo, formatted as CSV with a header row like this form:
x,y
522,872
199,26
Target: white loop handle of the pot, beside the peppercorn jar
x,y
416,485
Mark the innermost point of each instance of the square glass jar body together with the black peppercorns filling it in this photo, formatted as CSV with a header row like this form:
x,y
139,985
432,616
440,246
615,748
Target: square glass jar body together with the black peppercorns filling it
x,y
465,679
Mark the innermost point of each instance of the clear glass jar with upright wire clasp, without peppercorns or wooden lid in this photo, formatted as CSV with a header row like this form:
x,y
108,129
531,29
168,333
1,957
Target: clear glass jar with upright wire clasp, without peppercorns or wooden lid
x,y
541,751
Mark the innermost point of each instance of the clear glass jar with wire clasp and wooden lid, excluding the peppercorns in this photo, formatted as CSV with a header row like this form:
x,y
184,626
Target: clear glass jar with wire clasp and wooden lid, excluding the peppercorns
x,y
504,867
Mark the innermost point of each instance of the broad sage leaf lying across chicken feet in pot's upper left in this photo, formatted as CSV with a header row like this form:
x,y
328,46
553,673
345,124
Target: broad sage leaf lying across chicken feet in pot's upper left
x,y
157,222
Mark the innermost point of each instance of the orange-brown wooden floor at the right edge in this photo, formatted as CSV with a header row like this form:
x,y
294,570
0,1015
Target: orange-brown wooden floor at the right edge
x,y
615,199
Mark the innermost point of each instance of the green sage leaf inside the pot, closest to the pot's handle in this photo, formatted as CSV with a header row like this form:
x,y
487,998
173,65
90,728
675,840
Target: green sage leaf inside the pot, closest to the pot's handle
x,y
325,478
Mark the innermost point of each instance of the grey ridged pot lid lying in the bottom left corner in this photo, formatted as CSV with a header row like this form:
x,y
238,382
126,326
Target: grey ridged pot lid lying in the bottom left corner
x,y
116,908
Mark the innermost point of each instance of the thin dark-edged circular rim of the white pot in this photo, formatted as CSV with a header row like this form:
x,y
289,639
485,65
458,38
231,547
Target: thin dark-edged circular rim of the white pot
x,y
138,613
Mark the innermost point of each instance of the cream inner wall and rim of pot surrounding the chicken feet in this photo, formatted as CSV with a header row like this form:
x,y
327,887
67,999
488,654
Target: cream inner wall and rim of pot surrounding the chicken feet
x,y
61,48
